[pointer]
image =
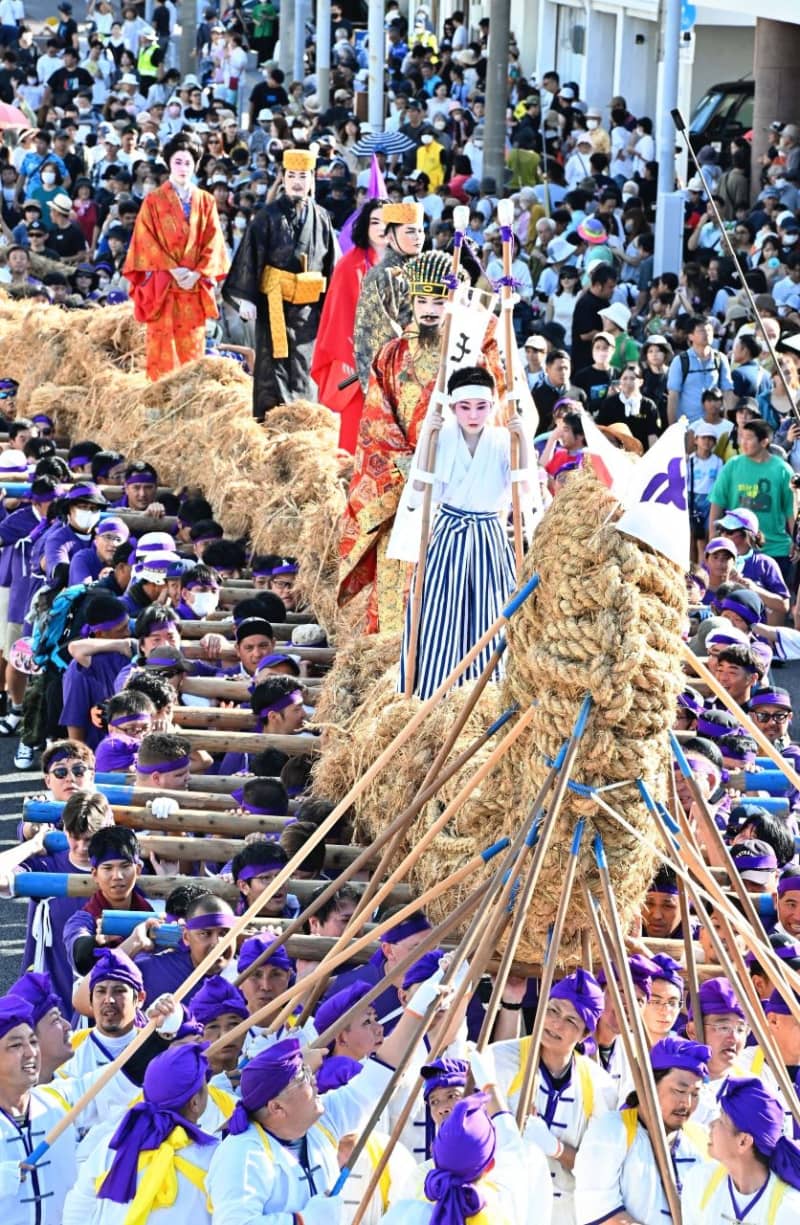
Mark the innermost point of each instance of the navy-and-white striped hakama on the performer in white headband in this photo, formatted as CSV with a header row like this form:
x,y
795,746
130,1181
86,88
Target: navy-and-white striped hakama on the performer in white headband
x,y
470,576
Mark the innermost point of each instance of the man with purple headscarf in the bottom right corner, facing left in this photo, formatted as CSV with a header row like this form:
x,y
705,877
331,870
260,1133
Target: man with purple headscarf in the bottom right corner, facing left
x,y
757,1172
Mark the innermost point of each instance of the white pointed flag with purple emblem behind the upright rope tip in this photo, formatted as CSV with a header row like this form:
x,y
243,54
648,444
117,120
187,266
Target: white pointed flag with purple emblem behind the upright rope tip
x,y
655,500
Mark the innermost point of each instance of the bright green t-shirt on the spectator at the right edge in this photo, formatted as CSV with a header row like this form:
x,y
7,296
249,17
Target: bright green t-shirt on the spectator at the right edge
x,y
765,489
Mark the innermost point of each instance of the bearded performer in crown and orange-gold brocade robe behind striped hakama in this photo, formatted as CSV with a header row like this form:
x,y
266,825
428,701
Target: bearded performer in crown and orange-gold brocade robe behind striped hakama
x,y
402,380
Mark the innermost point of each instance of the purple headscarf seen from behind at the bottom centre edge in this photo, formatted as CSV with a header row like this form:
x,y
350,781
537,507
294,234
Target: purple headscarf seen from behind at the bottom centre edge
x,y
462,1151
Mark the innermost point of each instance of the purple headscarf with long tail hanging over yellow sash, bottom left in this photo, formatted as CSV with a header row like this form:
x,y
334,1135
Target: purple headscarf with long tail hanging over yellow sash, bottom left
x,y
171,1081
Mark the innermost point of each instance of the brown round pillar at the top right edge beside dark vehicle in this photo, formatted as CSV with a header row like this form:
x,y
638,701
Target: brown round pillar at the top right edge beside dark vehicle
x,y
775,69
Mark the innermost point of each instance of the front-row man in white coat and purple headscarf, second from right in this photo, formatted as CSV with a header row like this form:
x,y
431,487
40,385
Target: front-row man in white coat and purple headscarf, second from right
x,y
617,1174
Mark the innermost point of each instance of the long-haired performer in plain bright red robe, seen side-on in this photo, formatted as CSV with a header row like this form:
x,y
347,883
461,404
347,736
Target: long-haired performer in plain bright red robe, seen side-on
x,y
334,356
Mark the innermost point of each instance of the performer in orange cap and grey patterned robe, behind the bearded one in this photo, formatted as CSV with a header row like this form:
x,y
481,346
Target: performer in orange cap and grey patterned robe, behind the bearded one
x,y
384,307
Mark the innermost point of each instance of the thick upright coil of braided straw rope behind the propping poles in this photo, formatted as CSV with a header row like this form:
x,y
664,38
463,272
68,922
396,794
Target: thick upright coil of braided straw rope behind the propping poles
x,y
606,620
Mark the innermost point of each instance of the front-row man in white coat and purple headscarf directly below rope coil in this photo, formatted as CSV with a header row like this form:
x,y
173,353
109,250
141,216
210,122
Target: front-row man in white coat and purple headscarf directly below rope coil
x,y
570,1090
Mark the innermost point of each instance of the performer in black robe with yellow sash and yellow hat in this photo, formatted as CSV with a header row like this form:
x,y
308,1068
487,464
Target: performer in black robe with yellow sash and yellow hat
x,y
277,279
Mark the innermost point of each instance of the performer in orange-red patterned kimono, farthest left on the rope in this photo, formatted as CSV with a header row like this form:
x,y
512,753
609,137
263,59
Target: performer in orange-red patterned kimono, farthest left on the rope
x,y
176,258
